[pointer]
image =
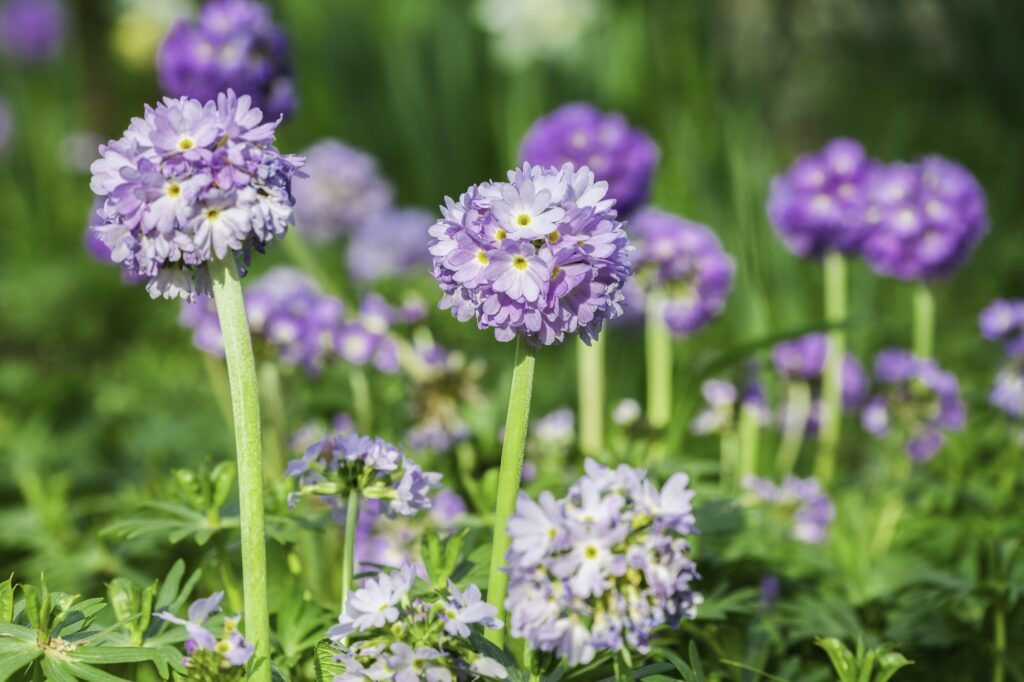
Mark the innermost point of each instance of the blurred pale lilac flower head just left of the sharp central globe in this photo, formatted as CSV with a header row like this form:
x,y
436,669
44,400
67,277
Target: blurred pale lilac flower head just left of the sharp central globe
x,y
391,244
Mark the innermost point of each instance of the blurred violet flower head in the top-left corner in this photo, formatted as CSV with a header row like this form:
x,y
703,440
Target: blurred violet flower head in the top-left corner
x,y
32,31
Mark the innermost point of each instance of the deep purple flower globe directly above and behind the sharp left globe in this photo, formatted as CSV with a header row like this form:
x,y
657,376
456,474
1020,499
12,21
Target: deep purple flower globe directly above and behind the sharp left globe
x,y
234,45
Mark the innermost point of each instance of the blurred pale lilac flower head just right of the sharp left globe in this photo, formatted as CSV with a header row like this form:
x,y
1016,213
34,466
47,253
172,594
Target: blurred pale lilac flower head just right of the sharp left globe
x,y
343,192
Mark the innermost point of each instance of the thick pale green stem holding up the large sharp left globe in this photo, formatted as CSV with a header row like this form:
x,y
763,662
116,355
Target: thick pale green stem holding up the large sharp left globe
x,y
245,408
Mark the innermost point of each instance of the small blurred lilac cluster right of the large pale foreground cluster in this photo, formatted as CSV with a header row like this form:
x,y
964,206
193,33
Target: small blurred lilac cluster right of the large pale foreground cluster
x,y
801,500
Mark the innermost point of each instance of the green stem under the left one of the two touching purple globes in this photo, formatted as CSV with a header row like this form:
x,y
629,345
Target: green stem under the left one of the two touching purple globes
x,y
832,380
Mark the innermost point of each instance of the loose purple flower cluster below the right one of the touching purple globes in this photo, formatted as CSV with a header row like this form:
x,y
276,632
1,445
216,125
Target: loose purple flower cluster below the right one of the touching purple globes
x,y
917,399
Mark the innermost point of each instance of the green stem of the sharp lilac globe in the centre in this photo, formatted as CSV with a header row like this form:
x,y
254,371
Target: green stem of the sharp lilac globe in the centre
x,y
509,476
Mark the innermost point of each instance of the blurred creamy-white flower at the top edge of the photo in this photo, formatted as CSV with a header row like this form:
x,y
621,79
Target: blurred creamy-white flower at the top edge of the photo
x,y
530,31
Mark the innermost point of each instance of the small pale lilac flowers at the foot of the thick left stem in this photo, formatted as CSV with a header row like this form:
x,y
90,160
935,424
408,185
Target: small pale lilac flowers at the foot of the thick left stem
x,y
207,657
